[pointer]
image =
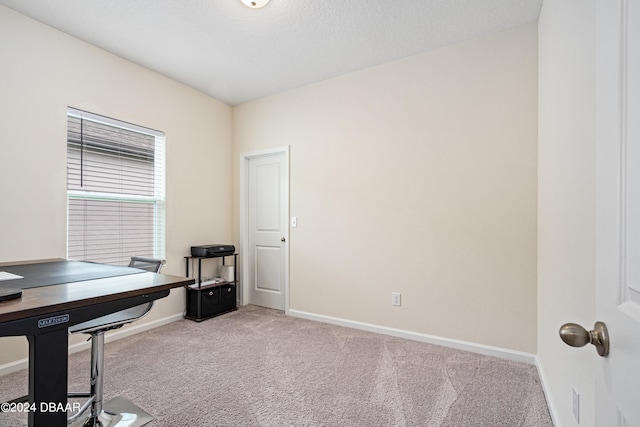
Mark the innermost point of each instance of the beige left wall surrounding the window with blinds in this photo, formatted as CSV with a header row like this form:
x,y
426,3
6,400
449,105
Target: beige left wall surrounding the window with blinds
x,y
43,71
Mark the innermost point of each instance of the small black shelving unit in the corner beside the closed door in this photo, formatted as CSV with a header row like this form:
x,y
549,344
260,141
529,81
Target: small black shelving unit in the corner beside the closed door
x,y
210,300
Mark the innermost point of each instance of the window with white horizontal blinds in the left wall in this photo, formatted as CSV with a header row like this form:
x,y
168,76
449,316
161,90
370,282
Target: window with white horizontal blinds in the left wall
x,y
115,189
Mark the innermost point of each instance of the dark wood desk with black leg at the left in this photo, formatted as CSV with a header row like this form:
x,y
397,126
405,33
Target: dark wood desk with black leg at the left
x,y
44,314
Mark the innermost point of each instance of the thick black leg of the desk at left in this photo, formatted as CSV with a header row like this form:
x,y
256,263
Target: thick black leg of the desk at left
x,y
48,366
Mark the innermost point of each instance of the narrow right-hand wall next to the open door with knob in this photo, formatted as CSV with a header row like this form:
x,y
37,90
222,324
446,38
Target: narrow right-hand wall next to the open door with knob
x,y
566,198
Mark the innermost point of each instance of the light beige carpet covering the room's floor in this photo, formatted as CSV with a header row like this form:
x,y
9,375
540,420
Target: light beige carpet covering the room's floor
x,y
257,367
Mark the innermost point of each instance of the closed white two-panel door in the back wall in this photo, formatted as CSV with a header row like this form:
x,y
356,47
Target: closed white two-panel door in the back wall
x,y
267,229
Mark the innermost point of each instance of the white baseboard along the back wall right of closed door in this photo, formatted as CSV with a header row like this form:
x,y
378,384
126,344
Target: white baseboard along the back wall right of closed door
x,y
486,350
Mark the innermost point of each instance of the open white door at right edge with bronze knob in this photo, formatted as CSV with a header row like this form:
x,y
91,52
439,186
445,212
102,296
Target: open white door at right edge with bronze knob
x,y
618,210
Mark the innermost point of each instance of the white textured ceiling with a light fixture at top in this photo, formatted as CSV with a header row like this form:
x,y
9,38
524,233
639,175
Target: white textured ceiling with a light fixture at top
x,y
236,54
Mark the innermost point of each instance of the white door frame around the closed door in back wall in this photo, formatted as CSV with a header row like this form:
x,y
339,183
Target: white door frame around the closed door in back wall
x,y
244,220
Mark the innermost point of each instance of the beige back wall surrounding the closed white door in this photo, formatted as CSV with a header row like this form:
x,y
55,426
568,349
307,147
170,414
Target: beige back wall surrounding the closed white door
x,y
419,177
